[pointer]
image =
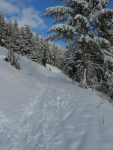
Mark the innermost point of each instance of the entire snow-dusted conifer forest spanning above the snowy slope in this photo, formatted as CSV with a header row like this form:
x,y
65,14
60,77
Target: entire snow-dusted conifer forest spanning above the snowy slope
x,y
87,29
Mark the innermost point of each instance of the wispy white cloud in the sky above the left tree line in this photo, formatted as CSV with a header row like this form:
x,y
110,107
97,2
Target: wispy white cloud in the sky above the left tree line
x,y
24,15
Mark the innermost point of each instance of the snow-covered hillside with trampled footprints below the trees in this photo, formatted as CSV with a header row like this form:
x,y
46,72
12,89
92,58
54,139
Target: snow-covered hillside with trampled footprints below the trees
x,y
43,110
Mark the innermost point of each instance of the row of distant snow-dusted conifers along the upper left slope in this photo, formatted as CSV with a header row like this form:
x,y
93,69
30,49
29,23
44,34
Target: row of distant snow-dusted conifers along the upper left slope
x,y
21,40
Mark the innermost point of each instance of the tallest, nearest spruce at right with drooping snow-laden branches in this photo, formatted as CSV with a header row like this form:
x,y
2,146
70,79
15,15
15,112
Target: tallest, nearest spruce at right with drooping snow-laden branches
x,y
80,25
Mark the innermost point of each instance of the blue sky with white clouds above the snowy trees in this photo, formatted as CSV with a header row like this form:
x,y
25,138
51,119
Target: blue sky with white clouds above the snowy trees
x,y
30,12
